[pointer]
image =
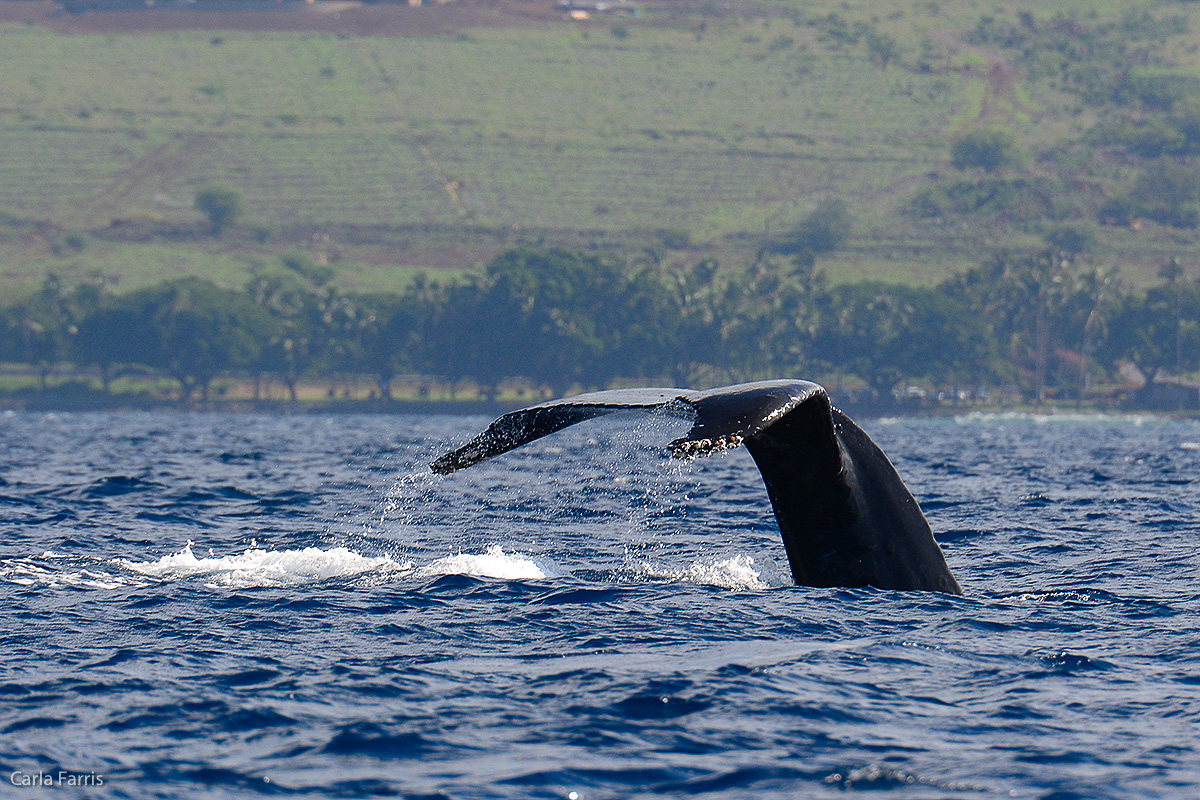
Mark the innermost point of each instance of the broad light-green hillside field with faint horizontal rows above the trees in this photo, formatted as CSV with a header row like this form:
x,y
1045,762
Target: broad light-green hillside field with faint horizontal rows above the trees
x,y
538,129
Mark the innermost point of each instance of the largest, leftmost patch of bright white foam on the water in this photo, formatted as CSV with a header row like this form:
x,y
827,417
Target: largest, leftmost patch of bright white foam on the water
x,y
260,568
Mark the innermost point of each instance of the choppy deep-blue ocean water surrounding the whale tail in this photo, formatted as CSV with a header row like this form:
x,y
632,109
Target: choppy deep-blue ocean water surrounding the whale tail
x,y
238,606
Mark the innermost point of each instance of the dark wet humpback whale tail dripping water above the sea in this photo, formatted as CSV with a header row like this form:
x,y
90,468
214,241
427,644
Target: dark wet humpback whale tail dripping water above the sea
x,y
845,516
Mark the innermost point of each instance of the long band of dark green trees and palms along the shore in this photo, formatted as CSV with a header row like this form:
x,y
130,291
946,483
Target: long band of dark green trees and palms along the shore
x,y
1043,322
